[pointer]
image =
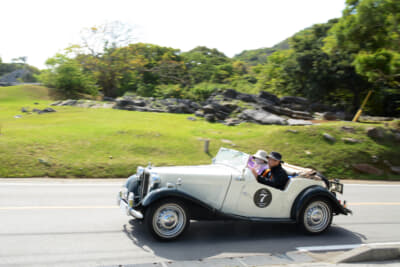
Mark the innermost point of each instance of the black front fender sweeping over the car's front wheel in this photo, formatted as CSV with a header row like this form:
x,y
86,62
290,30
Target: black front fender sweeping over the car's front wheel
x,y
198,209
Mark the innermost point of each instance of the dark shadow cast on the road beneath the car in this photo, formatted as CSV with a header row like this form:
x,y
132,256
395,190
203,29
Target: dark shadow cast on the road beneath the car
x,y
207,239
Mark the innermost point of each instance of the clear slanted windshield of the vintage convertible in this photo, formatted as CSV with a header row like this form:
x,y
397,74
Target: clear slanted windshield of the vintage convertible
x,y
231,157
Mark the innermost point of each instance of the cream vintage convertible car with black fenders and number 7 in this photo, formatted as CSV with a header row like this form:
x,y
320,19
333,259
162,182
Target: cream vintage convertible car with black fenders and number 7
x,y
167,198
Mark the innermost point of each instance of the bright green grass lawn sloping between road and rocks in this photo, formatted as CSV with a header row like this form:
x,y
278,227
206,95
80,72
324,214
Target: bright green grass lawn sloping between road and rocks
x,y
79,142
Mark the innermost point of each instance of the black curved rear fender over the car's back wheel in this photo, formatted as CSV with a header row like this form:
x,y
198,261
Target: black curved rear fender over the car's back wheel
x,y
316,191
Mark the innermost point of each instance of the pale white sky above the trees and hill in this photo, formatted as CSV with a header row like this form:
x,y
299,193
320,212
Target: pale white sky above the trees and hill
x,y
39,29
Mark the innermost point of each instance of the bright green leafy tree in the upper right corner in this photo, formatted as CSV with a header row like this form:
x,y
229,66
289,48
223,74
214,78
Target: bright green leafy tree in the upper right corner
x,y
369,33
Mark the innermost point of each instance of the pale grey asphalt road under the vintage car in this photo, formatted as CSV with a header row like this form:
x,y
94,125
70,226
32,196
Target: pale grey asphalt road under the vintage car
x,y
77,223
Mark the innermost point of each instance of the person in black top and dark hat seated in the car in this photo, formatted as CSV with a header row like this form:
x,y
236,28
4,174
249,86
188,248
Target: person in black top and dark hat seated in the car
x,y
275,176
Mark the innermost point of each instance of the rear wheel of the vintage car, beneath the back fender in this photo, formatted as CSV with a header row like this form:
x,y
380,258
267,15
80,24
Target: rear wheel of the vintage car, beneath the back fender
x,y
316,216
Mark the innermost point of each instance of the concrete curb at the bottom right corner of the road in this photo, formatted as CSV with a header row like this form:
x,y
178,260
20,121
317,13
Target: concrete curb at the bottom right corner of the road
x,y
370,253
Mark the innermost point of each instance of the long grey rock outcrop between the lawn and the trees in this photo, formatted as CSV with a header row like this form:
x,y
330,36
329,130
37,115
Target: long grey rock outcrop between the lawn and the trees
x,y
224,106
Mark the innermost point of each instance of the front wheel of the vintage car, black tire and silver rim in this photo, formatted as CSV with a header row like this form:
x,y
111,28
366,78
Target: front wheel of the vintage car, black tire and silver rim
x,y
167,219
